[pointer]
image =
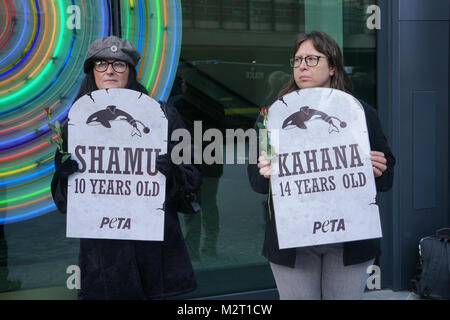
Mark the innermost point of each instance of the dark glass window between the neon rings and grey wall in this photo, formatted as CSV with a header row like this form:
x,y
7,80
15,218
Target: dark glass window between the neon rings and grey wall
x,y
234,60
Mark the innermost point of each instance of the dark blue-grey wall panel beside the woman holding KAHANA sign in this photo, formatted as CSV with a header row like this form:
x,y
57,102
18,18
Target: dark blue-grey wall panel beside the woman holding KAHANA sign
x,y
413,86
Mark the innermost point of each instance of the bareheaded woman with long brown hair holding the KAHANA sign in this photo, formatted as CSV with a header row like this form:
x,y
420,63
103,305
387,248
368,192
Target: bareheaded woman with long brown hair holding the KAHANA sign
x,y
332,271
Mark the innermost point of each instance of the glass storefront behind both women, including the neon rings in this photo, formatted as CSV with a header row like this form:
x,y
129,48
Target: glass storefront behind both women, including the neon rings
x,y
217,61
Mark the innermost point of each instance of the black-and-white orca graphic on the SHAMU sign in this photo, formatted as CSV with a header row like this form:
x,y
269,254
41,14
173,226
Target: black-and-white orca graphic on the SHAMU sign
x,y
112,113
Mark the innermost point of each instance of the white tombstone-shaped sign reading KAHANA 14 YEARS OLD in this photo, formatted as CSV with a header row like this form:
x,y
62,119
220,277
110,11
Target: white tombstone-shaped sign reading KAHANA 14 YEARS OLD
x,y
323,185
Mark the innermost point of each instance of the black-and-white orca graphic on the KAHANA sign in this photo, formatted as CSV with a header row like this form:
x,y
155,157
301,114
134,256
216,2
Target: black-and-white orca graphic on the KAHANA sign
x,y
305,114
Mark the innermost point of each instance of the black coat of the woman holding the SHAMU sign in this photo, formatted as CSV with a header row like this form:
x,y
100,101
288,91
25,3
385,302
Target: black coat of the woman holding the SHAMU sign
x,y
129,269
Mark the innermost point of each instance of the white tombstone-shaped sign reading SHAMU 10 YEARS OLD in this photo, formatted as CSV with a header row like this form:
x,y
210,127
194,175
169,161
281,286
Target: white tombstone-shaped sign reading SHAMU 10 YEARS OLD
x,y
116,135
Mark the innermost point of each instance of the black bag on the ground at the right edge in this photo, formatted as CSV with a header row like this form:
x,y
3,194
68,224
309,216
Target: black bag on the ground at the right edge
x,y
434,261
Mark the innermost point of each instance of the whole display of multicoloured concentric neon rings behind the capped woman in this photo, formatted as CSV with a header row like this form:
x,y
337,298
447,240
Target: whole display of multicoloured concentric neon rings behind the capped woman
x,y
47,59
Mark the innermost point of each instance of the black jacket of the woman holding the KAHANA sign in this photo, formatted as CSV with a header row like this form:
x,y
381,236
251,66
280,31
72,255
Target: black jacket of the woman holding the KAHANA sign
x,y
355,251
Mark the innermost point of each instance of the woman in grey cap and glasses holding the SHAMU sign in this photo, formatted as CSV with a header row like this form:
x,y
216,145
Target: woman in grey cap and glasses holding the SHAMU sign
x,y
129,269
